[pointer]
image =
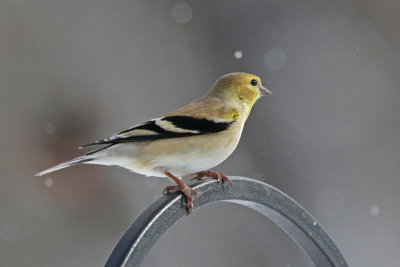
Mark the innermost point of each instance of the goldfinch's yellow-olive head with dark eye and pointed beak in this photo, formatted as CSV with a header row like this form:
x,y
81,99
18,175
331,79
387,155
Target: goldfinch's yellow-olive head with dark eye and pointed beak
x,y
243,88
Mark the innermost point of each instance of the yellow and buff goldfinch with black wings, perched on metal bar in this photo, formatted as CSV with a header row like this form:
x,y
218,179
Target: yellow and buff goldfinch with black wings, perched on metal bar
x,y
187,141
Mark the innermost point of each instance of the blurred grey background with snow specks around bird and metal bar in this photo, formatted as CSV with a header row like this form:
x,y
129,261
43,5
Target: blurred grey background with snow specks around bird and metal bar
x,y
79,70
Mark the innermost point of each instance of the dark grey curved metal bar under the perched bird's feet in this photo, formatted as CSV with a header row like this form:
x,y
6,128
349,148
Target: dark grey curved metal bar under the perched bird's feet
x,y
269,201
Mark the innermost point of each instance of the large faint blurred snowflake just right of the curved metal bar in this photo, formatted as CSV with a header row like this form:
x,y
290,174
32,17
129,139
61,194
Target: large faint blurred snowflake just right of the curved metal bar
x,y
328,201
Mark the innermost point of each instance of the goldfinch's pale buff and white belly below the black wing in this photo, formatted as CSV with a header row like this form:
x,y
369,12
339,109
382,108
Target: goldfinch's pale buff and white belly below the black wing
x,y
182,156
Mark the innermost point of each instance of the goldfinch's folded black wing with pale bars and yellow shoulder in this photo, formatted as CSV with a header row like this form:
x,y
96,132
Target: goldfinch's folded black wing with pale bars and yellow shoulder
x,y
175,125
